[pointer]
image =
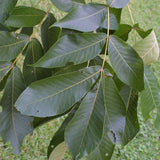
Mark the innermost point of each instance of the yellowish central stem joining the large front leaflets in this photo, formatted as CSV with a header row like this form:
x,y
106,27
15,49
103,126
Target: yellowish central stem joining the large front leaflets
x,y
107,40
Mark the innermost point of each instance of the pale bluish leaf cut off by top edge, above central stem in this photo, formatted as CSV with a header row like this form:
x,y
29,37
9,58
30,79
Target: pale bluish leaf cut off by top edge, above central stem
x,y
117,3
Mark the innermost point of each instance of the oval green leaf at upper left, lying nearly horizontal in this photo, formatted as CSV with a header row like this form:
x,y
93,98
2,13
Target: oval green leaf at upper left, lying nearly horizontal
x,y
25,17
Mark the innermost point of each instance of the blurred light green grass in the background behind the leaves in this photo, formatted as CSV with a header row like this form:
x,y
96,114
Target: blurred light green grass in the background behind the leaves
x,y
146,145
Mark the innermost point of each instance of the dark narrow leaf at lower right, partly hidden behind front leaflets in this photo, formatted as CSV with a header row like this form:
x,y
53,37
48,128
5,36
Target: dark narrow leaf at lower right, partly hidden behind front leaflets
x,y
130,98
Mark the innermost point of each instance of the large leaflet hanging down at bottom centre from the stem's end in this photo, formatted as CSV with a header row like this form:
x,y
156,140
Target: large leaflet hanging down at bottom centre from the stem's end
x,y
84,131
